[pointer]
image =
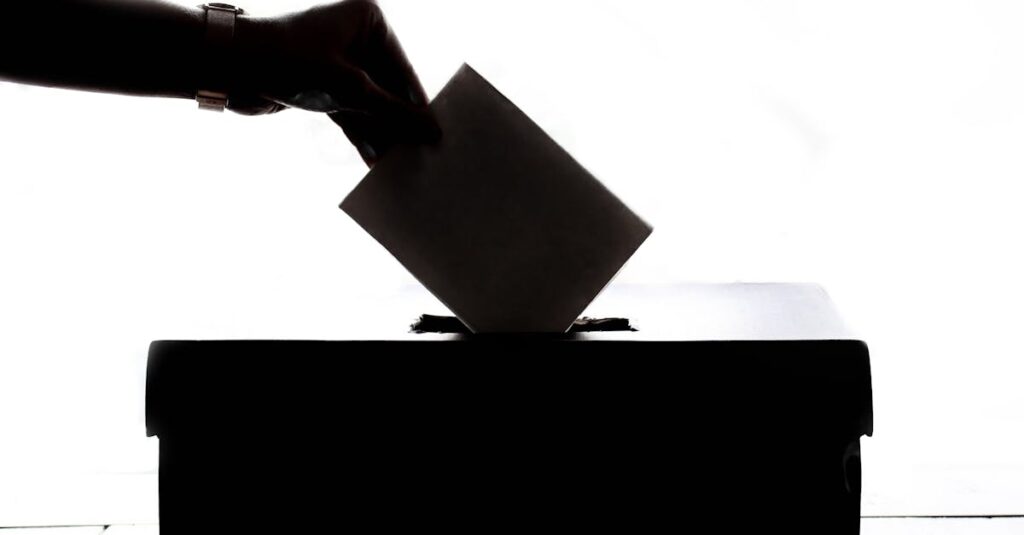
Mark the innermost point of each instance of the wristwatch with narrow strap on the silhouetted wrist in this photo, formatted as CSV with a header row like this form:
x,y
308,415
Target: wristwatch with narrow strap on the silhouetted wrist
x,y
212,94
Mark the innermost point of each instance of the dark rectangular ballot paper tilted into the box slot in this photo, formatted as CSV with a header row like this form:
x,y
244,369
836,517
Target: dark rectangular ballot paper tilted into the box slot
x,y
497,220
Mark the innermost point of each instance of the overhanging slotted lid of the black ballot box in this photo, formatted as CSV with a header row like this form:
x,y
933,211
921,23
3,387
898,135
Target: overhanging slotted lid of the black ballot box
x,y
775,356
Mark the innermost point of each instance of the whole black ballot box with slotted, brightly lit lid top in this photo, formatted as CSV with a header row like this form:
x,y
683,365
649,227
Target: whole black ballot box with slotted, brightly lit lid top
x,y
740,406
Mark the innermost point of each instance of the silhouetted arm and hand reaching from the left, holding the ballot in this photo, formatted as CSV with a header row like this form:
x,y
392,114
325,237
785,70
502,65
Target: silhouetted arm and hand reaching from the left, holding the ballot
x,y
339,59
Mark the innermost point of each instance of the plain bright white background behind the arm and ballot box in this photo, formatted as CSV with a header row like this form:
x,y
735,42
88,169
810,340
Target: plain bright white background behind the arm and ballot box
x,y
873,147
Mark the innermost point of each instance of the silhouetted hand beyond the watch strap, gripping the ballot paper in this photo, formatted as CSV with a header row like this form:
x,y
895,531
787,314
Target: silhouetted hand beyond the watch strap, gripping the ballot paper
x,y
343,60
